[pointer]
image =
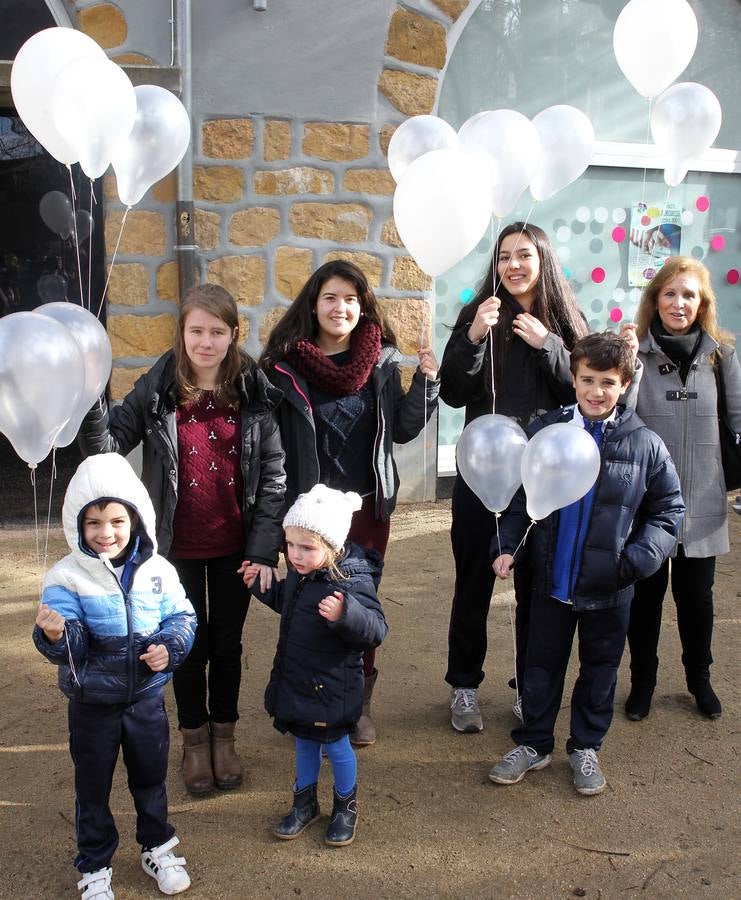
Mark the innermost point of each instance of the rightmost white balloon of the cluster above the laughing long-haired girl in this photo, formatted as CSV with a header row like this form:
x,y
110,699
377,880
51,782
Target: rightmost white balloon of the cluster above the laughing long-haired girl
x,y
567,141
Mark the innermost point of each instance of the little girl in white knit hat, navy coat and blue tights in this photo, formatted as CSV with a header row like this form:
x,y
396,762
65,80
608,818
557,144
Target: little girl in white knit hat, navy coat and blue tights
x,y
329,615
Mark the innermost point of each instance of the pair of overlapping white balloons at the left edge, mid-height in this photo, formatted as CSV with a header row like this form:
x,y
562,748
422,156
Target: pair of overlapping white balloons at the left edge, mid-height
x,y
44,398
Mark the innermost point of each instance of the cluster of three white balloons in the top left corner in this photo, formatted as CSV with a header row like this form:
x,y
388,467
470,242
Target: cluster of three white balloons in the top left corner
x,y
81,107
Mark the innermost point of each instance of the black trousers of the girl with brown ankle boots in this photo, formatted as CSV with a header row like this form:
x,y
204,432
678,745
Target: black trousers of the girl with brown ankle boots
x,y
207,683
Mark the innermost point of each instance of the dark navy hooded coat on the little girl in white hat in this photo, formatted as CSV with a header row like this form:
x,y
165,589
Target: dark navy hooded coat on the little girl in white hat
x,y
316,685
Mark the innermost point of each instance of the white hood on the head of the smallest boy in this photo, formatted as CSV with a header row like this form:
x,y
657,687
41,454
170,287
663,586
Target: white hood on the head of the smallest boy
x,y
105,476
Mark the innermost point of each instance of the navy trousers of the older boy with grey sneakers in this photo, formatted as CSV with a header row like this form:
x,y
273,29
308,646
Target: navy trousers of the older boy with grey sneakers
x,y
602,634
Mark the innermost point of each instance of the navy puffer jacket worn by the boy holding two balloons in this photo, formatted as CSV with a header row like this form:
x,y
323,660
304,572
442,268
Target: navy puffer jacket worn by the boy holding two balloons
x,y
634,522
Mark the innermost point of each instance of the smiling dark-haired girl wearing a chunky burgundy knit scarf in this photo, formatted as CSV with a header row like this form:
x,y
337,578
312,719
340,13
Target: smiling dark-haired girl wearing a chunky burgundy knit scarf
x,y
335,358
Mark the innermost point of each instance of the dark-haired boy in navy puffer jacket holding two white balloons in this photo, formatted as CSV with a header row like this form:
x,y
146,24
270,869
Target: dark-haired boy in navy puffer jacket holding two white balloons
x,y
591,553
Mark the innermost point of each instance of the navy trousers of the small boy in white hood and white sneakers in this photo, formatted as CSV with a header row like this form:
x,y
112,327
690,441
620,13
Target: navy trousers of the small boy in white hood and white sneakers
x,y
96,732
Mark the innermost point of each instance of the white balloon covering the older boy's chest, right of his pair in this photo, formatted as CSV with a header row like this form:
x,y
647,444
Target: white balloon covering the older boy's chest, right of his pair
x,y
559,466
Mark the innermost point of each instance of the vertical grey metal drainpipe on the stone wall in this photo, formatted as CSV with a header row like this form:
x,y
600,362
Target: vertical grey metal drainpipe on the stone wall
x,y
185,245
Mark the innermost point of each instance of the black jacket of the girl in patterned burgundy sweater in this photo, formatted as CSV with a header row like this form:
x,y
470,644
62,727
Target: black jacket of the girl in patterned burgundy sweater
x,y
147,416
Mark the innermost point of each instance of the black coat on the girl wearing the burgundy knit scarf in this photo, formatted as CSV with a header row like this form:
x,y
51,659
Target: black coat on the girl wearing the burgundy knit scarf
x,y
400,418
